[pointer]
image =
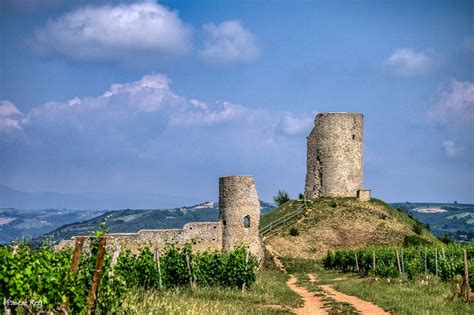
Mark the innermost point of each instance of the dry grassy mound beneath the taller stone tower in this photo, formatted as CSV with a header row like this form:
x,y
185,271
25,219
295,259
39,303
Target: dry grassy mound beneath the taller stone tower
x,y
331,223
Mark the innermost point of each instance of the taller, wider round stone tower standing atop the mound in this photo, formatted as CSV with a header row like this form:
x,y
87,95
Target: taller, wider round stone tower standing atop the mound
x,y
334,156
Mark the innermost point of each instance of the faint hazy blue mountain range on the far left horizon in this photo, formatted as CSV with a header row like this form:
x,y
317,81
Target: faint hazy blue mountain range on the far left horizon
x,y
10,198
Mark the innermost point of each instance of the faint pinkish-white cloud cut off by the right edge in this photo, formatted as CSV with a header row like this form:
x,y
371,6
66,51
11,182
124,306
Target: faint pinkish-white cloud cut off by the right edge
x,y
456,103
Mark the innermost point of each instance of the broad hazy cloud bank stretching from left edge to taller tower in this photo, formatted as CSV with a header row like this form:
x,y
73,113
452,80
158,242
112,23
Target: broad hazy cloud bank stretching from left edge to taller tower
x,y
154,138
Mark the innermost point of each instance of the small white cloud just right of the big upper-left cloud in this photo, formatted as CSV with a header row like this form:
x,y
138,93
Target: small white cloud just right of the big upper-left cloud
x,y
229,42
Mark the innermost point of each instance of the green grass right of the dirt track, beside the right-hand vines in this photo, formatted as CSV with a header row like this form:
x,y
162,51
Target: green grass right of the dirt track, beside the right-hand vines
x,y
397,297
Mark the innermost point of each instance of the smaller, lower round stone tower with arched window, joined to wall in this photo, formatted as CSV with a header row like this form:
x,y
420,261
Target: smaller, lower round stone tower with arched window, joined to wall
x,y
239,211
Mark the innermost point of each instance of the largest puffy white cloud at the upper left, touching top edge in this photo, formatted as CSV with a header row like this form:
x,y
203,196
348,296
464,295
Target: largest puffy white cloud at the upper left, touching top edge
x,y
116,33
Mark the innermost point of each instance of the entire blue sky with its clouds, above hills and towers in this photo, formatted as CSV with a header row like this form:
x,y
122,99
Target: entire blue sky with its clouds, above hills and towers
x,y
121,96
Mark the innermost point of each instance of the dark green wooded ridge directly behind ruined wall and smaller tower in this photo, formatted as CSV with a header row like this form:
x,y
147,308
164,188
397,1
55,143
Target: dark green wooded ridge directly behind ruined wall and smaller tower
x,y
126,221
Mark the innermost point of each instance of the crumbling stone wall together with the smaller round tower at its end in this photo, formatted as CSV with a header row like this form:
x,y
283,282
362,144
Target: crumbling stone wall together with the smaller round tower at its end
x,y
239,214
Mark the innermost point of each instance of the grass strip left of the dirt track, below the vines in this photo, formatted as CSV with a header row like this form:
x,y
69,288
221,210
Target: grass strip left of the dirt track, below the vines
x,y
269,295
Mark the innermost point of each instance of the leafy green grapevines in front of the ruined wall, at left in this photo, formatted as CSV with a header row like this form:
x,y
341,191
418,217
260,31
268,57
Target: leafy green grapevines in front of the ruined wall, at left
x,y
44,275
